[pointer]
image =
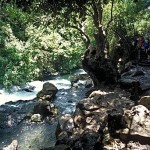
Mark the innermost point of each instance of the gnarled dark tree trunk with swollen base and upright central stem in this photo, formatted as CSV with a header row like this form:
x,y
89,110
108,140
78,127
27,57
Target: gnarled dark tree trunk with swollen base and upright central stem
x,y
94,62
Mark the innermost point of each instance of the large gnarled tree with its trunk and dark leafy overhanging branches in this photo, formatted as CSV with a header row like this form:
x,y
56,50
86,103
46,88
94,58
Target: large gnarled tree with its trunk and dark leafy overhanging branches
x,y
73,14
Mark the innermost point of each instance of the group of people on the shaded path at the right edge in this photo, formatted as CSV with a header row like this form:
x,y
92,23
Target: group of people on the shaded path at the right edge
x,y
143,44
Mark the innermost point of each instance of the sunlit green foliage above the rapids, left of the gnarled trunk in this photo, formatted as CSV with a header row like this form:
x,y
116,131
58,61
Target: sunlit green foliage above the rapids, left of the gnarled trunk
x,y
28,45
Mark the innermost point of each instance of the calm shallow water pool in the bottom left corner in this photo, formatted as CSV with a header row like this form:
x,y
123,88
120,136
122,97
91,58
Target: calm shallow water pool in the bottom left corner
x,y
33,136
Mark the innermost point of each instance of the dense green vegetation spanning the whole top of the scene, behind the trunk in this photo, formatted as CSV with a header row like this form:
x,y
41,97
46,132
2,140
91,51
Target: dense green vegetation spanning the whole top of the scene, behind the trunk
x,y
38,37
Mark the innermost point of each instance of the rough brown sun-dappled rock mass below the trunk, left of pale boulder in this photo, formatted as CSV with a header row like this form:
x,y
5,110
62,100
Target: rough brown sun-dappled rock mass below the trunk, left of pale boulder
x,y
90,120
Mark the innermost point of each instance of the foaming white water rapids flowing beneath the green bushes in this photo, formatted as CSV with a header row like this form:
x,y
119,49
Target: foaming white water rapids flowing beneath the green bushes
x,y
18,94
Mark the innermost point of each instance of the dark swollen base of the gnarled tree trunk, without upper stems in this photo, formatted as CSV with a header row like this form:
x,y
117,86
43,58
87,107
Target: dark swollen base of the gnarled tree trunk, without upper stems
x,y
98,67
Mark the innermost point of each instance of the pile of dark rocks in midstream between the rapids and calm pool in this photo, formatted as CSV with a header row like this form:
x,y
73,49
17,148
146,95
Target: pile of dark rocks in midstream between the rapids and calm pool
x,y
44,108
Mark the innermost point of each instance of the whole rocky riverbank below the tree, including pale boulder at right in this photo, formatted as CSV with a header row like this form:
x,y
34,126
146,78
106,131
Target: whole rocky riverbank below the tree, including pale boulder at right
x,y
106,119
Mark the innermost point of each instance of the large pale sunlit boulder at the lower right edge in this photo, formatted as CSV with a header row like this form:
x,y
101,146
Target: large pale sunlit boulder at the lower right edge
x,y
138,125
